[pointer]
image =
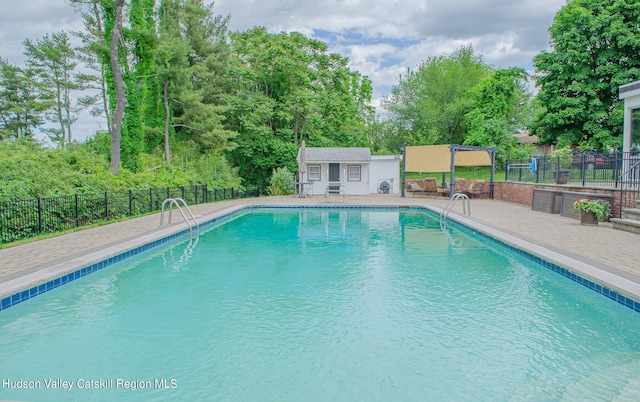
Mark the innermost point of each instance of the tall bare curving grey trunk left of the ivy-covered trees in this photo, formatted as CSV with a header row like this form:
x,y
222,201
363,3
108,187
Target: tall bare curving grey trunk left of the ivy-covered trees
x,y
118,79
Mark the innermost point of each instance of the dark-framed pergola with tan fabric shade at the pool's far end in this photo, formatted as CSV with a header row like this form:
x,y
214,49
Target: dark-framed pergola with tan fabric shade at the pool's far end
x,y
444,158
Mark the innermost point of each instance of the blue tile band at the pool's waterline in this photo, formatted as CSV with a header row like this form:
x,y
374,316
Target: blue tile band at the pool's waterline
x,y
36,290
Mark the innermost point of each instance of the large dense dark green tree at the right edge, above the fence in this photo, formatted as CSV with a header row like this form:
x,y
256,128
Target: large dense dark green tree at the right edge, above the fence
x,y
595,49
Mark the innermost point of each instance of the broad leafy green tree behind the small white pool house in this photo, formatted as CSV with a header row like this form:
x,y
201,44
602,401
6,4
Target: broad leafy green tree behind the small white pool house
x,y
286,88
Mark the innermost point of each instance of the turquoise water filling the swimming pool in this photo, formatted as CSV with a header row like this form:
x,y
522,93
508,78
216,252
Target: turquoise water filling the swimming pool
x,y
323,305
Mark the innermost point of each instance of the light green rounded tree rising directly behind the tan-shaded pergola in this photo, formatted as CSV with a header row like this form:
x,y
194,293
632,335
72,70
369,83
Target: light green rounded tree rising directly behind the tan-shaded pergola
x,y
428,105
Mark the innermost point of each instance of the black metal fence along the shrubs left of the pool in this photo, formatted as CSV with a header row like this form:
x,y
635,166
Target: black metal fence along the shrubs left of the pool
x,y
21,219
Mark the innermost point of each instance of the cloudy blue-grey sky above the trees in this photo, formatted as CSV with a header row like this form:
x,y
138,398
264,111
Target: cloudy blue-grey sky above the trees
x,y
381,38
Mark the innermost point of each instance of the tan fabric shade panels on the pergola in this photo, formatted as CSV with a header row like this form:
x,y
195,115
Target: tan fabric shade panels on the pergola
x,y
437,158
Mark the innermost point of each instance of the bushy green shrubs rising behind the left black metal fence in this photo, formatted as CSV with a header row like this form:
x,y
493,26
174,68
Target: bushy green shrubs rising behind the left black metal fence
x,y
29,170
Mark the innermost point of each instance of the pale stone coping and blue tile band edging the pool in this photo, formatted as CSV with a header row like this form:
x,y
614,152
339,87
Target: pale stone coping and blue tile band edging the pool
x,y
17,290
